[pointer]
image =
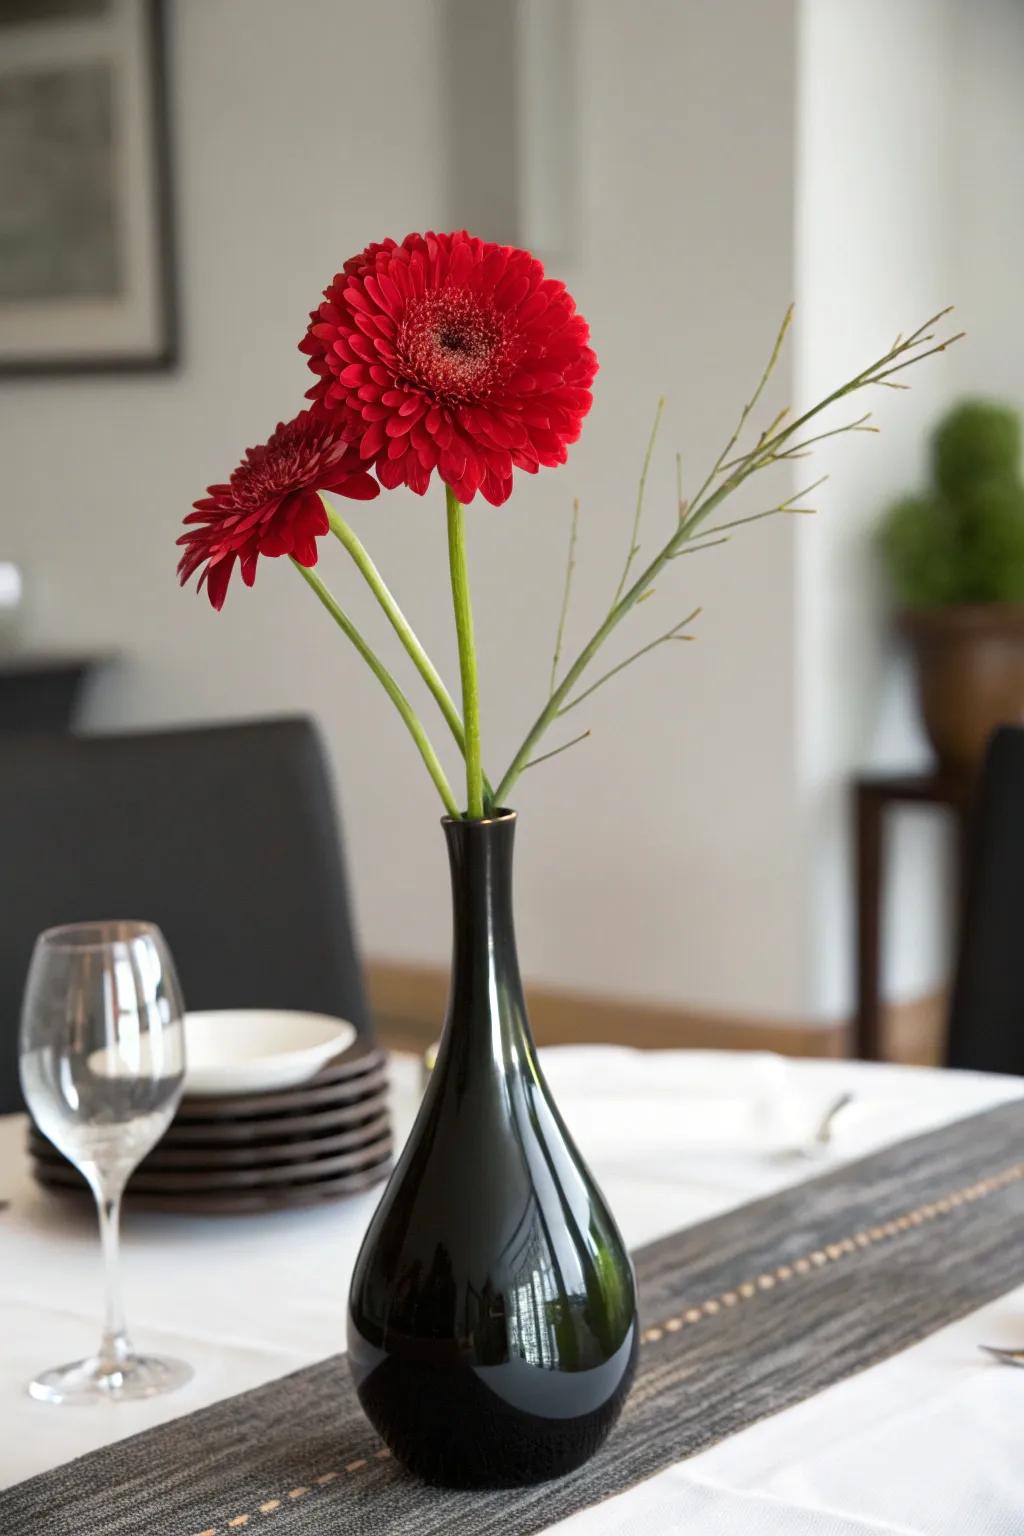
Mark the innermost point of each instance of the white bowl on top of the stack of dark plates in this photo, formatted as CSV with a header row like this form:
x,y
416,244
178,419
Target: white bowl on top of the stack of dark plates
x,y
256,1051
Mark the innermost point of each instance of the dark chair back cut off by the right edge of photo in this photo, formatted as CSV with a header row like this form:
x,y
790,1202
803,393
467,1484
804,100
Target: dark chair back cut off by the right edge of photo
x,y
986,1024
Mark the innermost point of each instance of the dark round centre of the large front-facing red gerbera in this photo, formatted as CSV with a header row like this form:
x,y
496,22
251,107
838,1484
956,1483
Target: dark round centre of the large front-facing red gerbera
x,y
457,346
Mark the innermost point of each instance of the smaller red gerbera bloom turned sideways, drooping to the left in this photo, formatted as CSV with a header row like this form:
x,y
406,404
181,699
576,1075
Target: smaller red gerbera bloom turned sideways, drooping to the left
x,y
271,505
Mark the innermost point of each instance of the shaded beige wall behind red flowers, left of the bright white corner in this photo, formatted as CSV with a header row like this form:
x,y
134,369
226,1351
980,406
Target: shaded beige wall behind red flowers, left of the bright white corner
x,y
659,858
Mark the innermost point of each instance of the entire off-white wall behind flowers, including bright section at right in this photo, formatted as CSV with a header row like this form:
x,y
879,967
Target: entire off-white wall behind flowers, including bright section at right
x,y
693,850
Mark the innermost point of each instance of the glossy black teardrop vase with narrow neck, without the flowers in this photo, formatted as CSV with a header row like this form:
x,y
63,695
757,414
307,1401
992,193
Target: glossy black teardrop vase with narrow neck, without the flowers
x,y
492,1319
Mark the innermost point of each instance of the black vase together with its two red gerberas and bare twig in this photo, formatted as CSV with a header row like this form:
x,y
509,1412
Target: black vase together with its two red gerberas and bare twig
x,y
492,1317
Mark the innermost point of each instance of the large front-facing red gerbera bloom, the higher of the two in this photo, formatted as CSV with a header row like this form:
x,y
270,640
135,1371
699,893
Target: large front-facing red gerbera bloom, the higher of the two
x,y
452,354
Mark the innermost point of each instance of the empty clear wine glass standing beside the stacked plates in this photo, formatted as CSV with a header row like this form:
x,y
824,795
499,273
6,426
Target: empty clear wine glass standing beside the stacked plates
x,y
102,1061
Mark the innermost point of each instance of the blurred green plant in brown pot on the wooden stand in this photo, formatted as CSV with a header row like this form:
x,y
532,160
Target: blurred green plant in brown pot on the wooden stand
x,y
956,560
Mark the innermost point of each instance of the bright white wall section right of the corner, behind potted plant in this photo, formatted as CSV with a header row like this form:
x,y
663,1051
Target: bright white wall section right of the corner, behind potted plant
x,y
911,145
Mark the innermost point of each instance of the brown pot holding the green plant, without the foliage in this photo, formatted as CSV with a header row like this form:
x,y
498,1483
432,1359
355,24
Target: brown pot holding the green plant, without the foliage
x,y
971,677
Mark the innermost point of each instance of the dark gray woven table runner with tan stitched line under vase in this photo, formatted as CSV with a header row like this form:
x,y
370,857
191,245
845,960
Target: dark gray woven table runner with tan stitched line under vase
x,y
742,1317
